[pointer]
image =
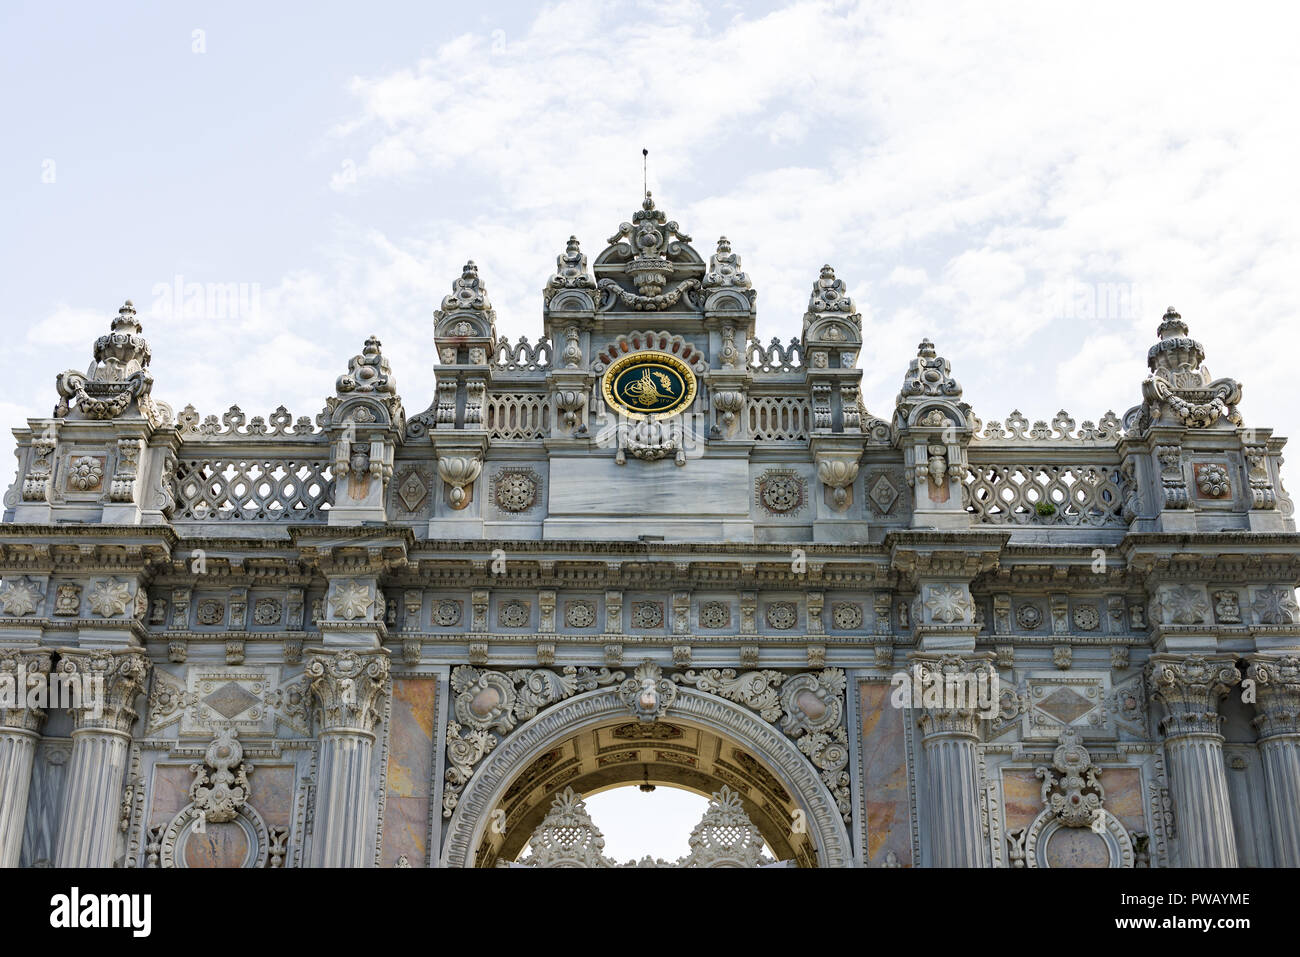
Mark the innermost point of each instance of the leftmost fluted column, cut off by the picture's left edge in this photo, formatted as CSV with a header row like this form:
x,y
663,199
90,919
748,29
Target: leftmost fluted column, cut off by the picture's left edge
x,y
20,731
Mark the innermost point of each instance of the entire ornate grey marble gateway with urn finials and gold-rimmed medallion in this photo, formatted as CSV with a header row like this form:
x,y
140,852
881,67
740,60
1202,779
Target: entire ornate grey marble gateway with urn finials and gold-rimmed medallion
x,y
648,548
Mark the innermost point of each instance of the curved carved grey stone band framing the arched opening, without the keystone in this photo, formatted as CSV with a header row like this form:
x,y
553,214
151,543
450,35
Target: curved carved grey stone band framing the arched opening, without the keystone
x,y
584,712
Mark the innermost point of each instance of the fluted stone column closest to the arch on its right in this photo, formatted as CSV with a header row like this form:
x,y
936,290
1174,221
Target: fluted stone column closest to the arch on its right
x,y
951,735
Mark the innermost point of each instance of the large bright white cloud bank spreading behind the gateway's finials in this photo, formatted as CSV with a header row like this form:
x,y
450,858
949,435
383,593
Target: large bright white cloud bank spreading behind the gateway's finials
x,y
965,170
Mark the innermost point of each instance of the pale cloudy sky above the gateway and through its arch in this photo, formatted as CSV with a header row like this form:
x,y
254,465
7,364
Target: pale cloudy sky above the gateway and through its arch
x,y
1029,185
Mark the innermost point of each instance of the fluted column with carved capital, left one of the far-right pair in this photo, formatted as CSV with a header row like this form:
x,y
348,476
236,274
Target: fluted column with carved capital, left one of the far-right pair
x,y
1190,690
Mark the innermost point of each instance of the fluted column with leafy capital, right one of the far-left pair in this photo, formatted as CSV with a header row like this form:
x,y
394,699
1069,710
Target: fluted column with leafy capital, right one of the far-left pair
x,y
109,683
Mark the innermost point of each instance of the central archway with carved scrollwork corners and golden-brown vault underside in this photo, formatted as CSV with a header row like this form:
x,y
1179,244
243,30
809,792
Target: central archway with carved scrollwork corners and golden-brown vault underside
x,y
786,747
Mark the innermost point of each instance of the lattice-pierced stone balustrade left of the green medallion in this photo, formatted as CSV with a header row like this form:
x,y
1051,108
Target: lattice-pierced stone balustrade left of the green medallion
x,y
253,490
